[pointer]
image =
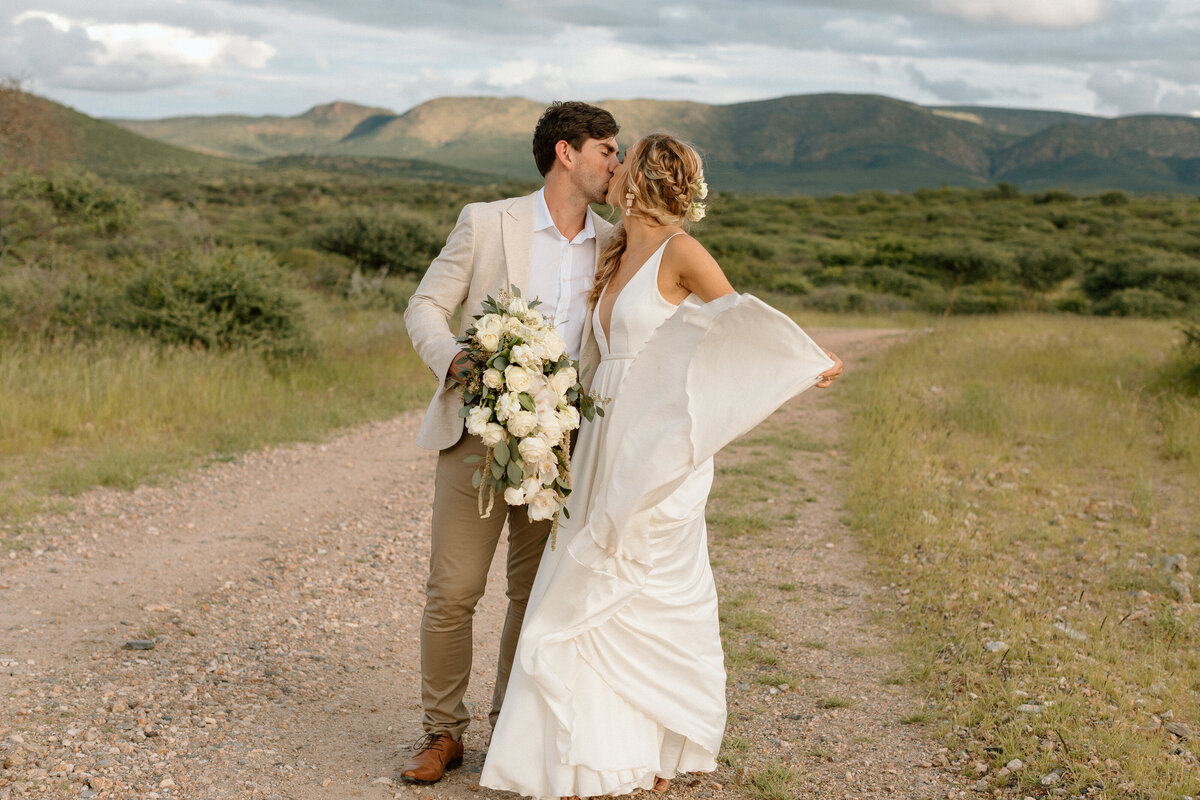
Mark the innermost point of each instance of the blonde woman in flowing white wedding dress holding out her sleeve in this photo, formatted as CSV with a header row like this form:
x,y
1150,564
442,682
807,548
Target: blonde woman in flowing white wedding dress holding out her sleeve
x,y
619,682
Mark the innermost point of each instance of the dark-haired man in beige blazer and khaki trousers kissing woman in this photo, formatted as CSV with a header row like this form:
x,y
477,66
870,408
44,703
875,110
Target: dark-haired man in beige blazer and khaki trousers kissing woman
x,y
547,244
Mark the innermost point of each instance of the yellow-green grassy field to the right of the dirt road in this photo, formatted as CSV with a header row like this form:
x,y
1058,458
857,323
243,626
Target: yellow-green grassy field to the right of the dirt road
x,y
1028,486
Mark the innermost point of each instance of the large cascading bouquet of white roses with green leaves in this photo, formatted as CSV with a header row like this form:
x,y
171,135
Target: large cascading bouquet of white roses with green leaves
x,y
523,399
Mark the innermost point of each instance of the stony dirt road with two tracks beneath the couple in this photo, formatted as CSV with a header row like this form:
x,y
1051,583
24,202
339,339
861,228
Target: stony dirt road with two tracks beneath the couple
x,y
283,594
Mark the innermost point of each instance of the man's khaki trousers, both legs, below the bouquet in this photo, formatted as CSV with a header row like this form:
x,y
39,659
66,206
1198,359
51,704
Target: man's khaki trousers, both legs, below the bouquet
x,y
460,556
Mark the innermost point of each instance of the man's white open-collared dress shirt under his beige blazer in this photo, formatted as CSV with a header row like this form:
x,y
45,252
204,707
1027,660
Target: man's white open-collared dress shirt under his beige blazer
x,y
562,273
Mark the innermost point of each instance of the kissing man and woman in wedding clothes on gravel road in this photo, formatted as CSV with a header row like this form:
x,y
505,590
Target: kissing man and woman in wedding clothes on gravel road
x,y
611,675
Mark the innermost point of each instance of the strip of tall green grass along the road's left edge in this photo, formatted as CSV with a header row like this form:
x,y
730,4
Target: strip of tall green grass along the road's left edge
x,y
123,412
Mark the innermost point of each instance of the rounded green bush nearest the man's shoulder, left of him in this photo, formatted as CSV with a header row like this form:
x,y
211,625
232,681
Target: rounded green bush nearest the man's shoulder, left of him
x,y
393,240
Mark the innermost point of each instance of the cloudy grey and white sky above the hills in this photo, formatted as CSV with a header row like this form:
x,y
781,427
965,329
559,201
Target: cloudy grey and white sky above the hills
x,y
163,58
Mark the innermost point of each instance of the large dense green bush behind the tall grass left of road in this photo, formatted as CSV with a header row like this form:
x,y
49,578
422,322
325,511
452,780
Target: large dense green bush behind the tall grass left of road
x,y
232,299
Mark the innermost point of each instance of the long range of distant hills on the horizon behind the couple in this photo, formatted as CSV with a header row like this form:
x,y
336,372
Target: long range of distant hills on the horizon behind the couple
x,y
812,143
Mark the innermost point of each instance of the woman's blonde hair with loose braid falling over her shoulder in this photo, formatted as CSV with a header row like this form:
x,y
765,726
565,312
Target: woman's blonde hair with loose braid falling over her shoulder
x,y
661,184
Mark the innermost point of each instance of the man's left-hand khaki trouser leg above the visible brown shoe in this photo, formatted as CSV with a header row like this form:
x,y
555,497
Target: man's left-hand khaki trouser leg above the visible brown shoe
x,y
461,552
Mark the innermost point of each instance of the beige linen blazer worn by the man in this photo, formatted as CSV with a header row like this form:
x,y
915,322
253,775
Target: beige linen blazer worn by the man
x,y
490,249
